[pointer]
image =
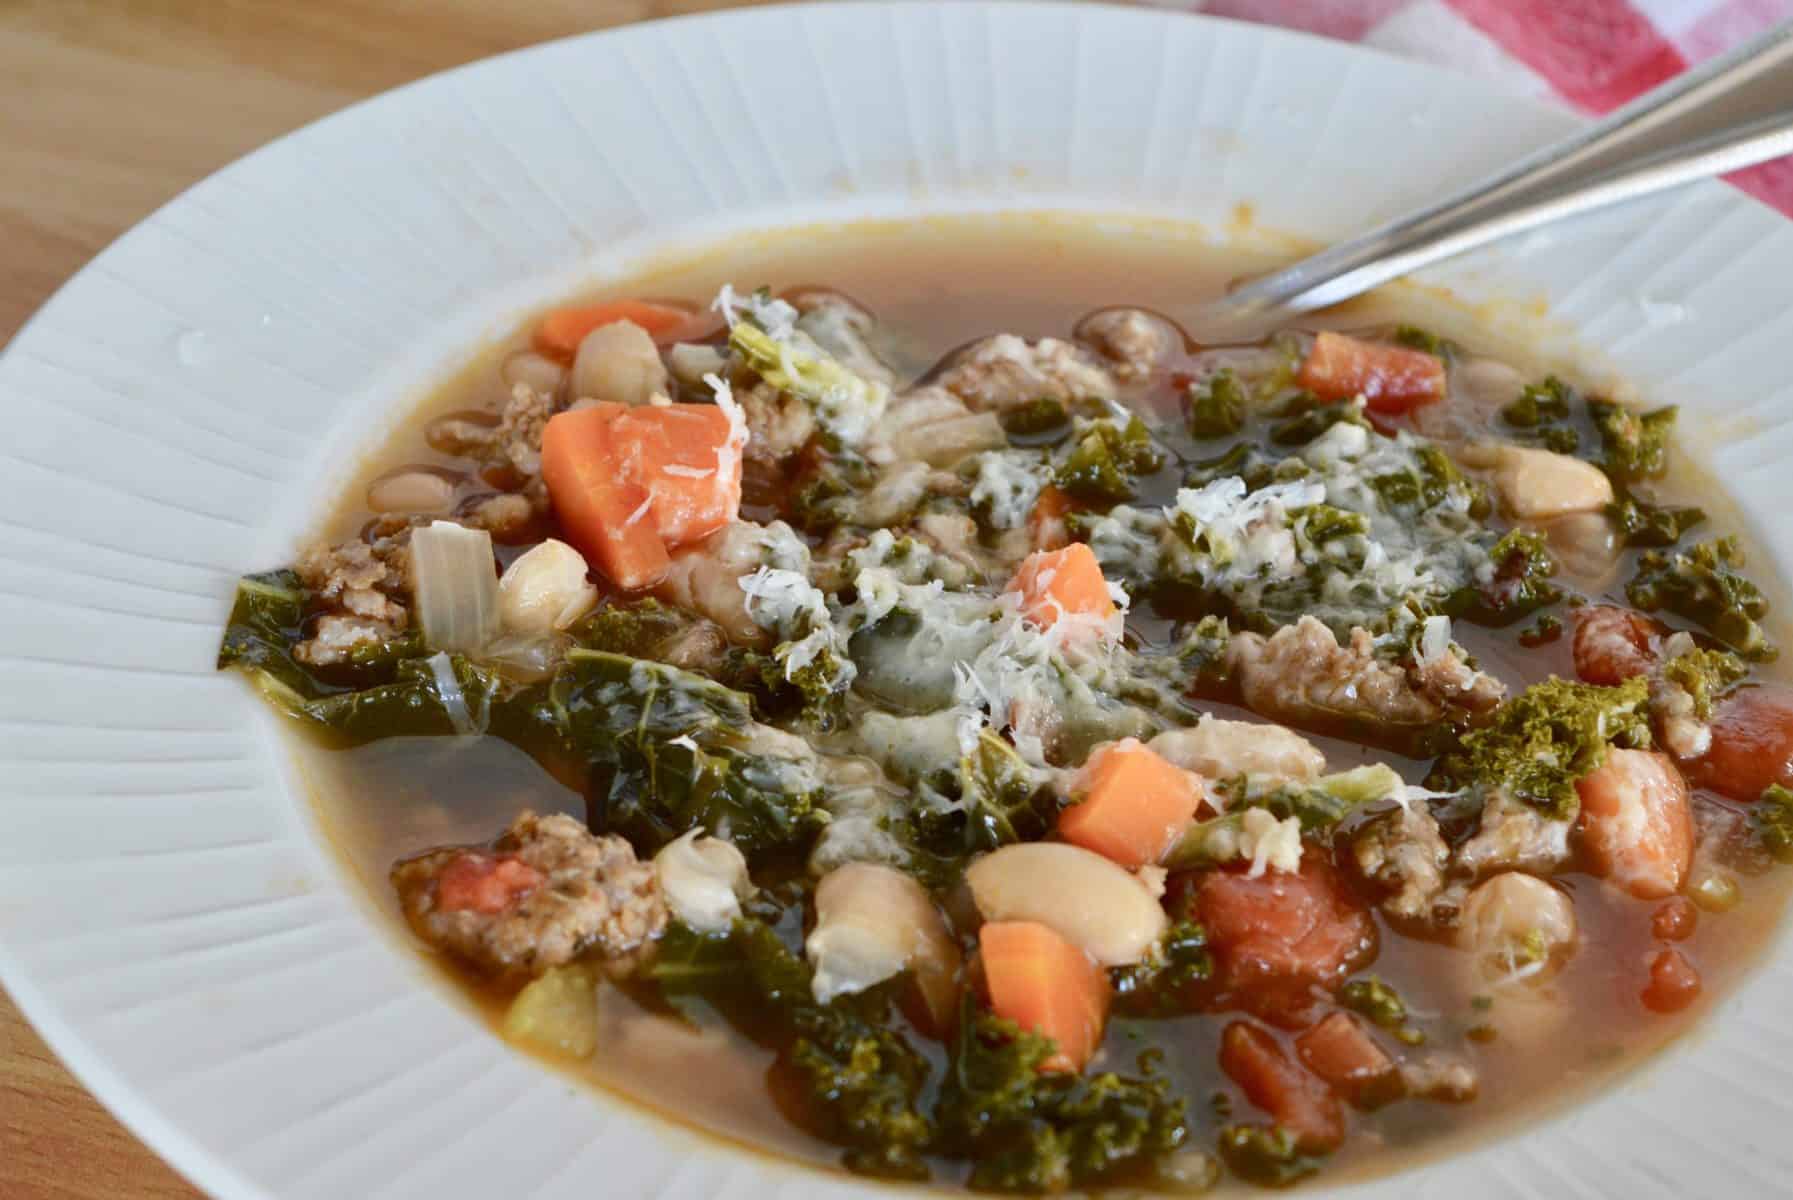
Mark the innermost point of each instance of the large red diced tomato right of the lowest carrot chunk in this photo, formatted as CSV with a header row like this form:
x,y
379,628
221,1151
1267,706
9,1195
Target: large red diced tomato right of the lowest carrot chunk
x,y
1281,937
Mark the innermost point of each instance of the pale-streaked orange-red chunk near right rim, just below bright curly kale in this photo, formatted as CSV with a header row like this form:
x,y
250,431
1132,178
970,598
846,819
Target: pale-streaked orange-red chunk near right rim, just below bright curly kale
x,y
1636,824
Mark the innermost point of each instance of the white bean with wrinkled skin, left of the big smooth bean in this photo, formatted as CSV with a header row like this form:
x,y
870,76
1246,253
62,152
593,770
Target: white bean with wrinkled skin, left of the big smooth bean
x,y
874,923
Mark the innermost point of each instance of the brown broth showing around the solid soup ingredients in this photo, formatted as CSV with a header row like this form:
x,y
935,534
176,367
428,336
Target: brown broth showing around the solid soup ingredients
x,y
942,284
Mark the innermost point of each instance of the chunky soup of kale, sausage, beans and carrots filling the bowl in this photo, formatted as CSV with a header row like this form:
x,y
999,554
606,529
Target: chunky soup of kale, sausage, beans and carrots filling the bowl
x,y
924,715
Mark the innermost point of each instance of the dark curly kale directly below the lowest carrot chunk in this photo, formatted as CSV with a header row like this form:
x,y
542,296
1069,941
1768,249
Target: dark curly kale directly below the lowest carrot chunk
x,y
1041,1133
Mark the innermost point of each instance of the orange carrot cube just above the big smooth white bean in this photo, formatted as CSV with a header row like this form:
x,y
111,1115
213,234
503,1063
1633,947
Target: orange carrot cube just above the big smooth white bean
x,y
1136,804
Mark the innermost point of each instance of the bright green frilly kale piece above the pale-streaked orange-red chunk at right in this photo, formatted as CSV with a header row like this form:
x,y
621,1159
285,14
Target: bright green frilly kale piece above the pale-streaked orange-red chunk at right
x,y
1543,742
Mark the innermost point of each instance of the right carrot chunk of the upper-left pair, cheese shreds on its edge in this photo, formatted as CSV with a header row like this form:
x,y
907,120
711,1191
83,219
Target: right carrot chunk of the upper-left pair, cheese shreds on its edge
x,y
679,455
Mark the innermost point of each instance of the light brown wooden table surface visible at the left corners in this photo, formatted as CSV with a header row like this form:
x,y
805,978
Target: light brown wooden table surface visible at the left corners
x,y
107,112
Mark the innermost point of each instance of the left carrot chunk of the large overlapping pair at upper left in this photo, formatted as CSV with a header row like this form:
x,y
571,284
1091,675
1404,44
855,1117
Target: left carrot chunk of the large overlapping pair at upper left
x,y
607,517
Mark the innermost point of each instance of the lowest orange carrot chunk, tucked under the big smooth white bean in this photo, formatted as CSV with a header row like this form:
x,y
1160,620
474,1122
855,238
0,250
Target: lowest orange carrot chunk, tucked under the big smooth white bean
x,y
1046,986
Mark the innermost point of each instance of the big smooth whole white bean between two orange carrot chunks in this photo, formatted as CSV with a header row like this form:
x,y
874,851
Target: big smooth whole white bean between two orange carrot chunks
x,y
1089,901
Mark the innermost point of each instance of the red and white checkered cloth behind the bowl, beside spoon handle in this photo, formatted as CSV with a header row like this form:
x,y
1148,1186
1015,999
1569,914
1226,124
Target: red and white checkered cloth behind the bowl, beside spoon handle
x,y
1595,55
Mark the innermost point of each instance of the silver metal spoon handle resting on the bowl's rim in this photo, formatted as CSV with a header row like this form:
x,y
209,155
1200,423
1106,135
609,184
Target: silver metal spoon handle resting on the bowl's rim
x,y
1733,112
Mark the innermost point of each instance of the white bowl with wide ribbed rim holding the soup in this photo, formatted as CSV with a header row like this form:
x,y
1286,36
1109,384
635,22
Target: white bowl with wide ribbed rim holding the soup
x,y
184,408
